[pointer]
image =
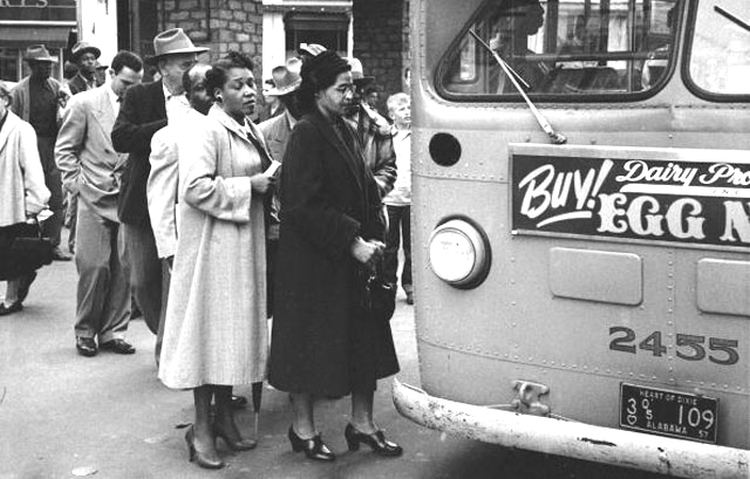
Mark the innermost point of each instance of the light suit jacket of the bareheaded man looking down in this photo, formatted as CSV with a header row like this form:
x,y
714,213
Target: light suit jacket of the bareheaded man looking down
x,y
89,164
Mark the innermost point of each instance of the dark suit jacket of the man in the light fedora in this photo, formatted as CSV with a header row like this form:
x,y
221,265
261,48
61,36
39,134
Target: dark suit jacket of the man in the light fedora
x,y
142,113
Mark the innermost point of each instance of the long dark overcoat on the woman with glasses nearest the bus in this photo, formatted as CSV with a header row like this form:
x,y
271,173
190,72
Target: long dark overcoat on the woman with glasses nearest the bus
x,y
323,340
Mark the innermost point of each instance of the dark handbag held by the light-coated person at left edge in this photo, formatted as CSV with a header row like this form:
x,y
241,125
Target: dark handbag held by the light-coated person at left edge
x,y
23,250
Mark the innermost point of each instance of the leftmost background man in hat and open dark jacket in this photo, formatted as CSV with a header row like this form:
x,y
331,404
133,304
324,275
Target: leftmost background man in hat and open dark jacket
x,y
38,99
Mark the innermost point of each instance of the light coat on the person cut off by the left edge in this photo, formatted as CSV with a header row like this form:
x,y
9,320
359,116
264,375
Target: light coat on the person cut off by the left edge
x,y
21,176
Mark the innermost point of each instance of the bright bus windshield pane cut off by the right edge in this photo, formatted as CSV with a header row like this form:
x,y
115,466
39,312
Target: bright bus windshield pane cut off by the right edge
x,y
720,54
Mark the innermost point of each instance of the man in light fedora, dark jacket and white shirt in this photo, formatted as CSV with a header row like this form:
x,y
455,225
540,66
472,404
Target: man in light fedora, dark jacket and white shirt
x,y
146,109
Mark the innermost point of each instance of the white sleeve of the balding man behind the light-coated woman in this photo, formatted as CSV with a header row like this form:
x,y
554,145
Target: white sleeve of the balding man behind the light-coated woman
x,y
161,191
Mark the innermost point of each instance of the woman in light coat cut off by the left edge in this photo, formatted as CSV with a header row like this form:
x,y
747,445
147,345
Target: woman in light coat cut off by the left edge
x,y
23,194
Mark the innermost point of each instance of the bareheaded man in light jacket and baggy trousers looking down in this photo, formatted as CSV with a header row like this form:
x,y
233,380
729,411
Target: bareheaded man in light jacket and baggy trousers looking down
x,y
91,168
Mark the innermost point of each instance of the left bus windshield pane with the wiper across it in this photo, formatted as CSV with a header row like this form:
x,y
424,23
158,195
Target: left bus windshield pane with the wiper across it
x,y
565,48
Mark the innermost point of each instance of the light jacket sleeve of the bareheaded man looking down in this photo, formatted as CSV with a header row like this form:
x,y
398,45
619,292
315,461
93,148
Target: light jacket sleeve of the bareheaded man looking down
x,y
70,143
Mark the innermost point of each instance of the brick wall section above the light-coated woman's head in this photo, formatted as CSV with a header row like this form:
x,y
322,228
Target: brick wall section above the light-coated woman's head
x,y
220,25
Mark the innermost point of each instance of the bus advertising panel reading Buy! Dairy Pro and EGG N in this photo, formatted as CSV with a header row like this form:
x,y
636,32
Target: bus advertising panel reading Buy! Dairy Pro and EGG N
x,y
686,196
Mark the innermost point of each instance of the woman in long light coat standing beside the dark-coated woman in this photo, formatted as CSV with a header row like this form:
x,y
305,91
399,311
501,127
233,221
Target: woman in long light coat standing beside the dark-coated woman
x,y
215,332
